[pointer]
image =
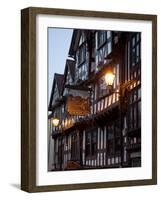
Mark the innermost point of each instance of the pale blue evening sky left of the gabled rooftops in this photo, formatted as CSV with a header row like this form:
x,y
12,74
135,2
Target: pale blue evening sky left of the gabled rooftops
x,y
58,47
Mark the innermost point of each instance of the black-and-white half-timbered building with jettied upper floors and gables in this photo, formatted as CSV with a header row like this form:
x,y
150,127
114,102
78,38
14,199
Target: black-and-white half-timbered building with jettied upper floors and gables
x,y
108,135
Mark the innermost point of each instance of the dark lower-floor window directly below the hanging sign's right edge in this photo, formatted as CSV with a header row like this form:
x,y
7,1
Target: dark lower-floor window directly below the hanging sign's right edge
x,y
91,143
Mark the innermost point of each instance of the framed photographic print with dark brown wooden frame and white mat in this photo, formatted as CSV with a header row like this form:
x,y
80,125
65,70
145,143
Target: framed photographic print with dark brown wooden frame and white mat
x,y
89,99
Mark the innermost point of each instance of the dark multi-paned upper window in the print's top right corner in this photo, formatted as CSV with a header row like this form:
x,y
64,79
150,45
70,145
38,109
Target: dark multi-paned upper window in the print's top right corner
x,y
135,49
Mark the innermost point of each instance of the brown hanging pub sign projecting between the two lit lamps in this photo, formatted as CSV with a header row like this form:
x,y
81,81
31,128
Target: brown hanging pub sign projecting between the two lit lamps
x,y
77,105
